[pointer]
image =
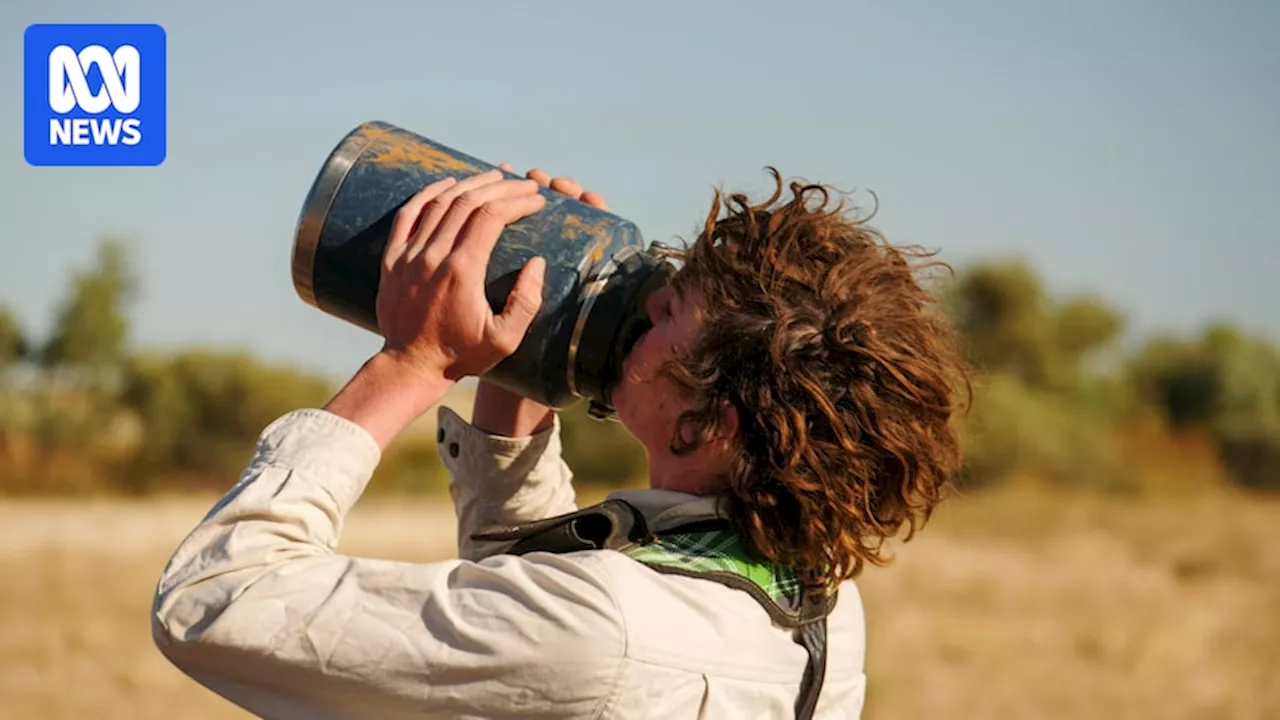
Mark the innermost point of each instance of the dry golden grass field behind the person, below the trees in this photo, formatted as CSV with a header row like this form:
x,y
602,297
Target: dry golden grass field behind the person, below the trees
x,y
1005,608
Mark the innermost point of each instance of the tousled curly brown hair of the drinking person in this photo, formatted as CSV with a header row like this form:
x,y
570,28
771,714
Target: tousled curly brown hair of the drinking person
x,y
844,373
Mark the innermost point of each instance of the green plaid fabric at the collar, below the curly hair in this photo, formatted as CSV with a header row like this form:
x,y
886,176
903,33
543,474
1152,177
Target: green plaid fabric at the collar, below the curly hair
x,y
719,552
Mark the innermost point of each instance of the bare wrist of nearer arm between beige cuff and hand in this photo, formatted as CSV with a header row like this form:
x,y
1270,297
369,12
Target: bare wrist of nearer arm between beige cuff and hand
x,y
387,394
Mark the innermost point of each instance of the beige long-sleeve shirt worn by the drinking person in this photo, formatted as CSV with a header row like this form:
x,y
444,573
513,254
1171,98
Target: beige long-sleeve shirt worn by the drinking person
x,y
258,607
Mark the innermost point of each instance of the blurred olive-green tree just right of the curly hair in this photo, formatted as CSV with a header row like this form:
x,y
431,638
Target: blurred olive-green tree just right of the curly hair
x,y
1039,409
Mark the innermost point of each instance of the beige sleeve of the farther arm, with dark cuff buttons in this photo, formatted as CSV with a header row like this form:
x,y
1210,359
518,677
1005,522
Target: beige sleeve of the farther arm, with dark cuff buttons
x,y
497,481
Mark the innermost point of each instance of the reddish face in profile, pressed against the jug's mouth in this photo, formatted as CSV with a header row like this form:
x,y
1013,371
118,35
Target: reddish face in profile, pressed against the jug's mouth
x,y
648,404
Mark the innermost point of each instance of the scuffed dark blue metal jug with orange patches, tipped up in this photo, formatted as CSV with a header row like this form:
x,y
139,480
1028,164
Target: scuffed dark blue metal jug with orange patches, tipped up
x,y
598,271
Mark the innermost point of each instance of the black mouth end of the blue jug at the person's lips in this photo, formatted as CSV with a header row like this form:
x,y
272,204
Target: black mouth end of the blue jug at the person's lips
x,y
611,322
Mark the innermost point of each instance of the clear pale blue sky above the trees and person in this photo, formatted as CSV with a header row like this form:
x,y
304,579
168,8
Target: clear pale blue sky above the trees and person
x,y
1130,149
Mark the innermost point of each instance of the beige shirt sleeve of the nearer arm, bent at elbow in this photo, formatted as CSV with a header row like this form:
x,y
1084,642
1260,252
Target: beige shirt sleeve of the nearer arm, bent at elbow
x,y
258,607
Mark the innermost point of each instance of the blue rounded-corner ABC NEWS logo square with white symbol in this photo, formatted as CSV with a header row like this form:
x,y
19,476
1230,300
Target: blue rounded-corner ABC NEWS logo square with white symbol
x,y
94,95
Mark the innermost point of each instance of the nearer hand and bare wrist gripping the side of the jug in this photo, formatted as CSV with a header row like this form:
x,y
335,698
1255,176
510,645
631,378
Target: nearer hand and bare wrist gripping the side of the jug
x,y
432,309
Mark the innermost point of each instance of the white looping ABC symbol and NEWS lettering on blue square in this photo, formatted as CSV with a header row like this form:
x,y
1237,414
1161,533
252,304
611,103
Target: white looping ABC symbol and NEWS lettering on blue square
x,y
121,90
